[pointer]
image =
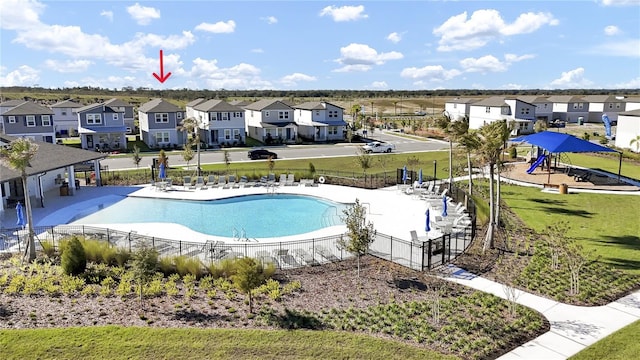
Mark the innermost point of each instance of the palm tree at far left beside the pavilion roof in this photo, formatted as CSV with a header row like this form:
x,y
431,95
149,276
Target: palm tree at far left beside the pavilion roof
x,y
18,155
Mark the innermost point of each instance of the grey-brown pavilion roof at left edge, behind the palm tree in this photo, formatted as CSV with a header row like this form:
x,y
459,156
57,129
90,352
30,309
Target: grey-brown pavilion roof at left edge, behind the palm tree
x,y
49,157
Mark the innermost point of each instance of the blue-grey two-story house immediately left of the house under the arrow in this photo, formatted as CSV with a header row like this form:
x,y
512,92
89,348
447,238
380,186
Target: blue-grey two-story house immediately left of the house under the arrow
x,y
101,127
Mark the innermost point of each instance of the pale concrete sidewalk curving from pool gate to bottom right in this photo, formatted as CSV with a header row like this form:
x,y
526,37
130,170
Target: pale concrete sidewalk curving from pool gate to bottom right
x,y
573,328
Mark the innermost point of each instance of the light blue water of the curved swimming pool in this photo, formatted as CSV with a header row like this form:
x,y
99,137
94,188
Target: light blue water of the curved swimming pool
x,y
253,216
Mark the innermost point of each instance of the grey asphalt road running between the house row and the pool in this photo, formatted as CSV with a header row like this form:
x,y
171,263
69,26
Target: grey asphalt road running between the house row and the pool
x,y
403,145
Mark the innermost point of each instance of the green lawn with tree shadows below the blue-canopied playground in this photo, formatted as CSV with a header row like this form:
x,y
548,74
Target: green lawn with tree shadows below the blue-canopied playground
x,y
607,223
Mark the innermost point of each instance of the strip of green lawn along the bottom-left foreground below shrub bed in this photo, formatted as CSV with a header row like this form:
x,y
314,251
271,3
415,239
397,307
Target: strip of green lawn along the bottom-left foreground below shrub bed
x,y
153,343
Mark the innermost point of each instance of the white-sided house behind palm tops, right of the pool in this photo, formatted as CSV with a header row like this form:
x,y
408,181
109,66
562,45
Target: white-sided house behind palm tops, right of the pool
x,y
500,108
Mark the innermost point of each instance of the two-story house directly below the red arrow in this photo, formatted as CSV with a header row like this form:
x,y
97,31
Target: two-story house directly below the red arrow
x,y
159,121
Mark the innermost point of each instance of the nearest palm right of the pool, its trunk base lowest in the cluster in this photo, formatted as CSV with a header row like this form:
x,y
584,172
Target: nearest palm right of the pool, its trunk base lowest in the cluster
x,y
490,136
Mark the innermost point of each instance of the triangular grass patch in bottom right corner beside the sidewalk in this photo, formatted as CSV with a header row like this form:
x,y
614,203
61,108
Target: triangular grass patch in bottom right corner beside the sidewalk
x,y
621,345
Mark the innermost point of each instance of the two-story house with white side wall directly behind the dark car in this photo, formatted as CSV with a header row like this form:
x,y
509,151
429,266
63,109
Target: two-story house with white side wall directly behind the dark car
x,y
270,121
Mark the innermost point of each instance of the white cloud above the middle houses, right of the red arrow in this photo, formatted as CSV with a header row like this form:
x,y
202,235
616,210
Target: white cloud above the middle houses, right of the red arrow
x,y
361,57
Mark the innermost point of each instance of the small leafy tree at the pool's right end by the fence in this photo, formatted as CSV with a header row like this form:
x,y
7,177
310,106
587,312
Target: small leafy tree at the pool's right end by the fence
x,y
360,233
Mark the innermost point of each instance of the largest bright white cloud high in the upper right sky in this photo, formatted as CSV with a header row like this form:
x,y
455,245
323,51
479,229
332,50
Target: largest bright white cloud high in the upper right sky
x,y
460,32
